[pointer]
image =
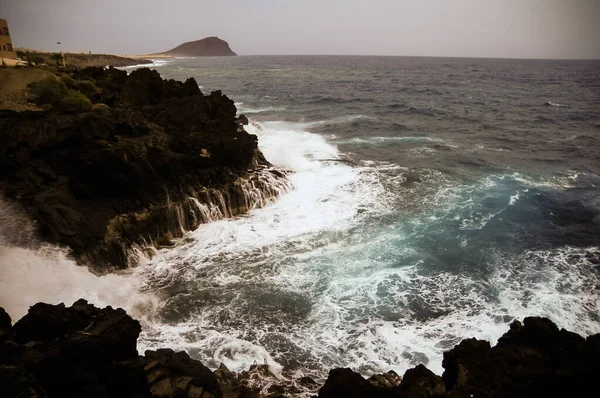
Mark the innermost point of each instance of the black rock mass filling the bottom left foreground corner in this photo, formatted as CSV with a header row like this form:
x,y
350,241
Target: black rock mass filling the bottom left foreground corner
x,y
83,351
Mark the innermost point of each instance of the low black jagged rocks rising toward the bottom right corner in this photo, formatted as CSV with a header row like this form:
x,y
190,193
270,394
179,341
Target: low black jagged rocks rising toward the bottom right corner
x,y
533,359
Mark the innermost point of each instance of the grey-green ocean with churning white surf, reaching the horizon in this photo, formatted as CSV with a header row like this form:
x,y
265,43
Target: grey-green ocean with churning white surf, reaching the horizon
x,y
434,200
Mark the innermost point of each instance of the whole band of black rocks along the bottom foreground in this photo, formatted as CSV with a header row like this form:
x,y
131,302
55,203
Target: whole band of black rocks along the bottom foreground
x,y
83,351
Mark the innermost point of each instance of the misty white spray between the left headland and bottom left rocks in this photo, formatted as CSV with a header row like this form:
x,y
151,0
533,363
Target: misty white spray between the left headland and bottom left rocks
x,y
31,272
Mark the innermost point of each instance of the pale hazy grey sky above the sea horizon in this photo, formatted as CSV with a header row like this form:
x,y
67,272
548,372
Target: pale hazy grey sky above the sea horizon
x,y
476,28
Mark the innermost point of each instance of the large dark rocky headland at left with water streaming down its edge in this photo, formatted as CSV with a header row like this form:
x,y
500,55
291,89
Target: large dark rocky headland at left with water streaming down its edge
x,y
153,159
